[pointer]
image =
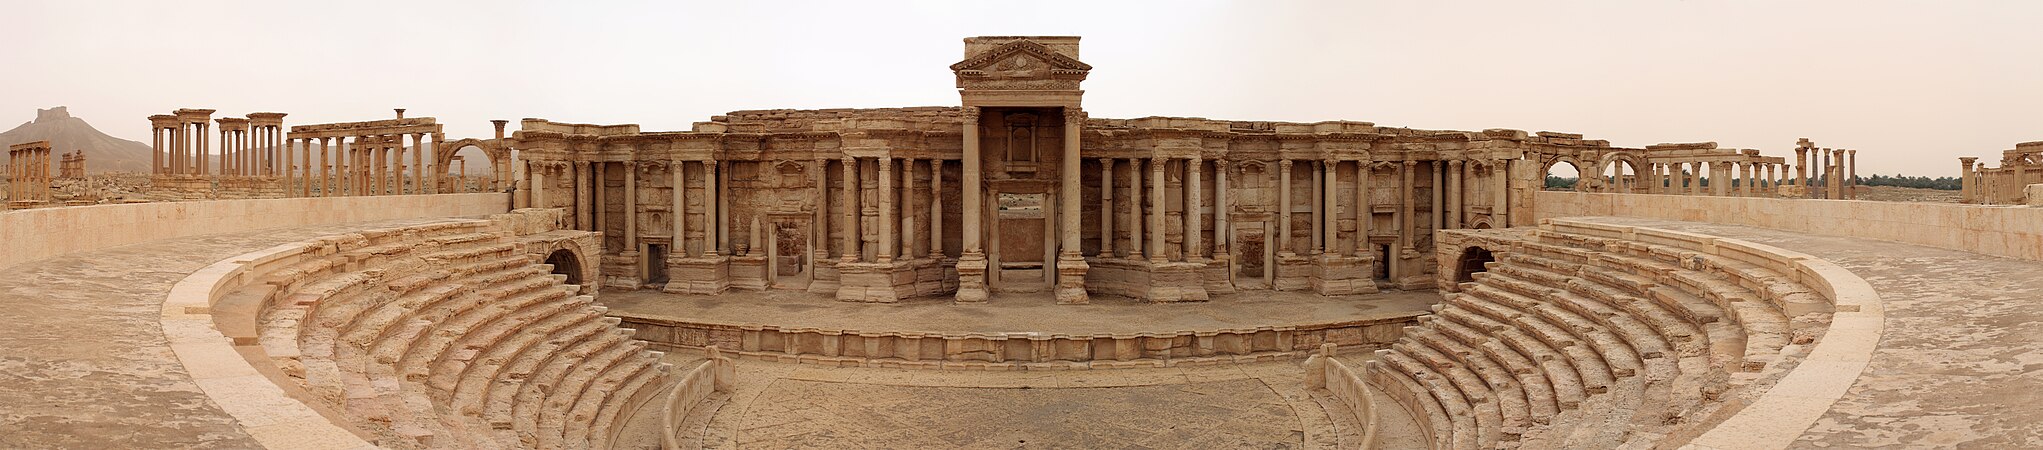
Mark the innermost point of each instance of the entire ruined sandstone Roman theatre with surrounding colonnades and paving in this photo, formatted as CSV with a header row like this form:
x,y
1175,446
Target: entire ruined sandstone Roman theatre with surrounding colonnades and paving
x,y
1010,273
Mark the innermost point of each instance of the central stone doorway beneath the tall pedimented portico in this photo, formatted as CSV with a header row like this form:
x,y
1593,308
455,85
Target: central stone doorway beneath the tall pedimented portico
x,y
1023,242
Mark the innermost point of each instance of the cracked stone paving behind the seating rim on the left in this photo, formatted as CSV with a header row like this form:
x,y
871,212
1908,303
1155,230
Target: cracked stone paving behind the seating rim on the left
x,y
87,363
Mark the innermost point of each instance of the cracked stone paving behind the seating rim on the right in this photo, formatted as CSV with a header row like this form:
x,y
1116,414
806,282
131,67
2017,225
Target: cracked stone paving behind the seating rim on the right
x,y
1962,357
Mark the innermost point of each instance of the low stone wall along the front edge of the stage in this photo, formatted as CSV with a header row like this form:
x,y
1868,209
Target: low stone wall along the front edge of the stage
x,y
1020,351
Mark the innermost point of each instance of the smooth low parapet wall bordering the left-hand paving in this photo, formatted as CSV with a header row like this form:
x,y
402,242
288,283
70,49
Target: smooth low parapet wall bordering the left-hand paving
x,y
40,234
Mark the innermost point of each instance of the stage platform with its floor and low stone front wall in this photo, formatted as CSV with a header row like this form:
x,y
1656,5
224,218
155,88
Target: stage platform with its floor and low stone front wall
x,y
1016,332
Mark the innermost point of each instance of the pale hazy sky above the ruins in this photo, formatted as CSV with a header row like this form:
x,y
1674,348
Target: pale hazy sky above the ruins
x,y
1909,85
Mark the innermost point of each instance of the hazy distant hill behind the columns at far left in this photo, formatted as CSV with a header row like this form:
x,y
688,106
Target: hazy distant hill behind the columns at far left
x,y
68,134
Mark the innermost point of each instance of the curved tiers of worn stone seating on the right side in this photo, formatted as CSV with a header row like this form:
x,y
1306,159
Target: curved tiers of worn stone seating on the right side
x,y
1574,341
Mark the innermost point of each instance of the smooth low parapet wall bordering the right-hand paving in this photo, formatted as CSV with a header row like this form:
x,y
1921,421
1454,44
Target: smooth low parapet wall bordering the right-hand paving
x,y
2013,232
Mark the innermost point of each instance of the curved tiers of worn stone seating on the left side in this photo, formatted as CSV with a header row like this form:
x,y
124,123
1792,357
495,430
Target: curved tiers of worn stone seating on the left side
x,y
453,336
